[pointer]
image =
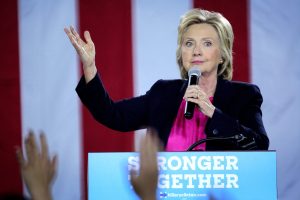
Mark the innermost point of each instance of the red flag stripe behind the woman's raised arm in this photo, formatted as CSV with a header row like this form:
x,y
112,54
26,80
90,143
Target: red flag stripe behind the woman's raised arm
x,y
109,22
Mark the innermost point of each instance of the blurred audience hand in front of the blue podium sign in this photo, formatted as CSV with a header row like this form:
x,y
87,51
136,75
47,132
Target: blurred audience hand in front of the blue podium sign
x,y
145,184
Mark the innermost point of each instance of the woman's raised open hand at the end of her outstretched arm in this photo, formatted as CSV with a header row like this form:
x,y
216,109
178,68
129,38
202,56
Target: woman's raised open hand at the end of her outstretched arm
x,y
85,50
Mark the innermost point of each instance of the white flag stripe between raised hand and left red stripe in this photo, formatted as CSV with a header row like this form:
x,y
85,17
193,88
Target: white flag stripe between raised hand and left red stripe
x,y
49,73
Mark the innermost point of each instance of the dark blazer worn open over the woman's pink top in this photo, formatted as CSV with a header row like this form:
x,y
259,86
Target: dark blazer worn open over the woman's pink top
x,y
237,111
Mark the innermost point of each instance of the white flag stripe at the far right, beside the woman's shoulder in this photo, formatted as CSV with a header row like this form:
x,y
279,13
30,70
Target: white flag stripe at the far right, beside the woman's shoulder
x,y
275,54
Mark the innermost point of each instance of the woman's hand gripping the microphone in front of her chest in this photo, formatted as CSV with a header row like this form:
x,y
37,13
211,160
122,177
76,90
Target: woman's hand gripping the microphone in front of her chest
x,y
196,95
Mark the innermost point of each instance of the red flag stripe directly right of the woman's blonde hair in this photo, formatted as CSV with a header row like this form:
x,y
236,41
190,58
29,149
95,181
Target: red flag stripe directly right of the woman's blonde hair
x,y
236,11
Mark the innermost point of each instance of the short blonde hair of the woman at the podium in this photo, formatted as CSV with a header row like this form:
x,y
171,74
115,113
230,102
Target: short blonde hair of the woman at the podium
x,y
224,31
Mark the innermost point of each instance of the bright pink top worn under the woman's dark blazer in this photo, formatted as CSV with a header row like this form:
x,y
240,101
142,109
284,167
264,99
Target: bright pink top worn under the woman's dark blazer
x,y
185,132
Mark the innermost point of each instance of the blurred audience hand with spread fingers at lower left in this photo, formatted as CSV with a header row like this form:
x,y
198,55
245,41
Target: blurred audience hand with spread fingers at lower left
x,y
38,171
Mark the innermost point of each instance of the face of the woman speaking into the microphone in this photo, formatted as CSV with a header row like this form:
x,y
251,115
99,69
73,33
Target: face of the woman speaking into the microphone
x,y
201,47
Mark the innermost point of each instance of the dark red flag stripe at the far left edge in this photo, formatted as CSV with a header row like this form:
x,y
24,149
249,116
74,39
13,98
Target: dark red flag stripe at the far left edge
x,y
10,115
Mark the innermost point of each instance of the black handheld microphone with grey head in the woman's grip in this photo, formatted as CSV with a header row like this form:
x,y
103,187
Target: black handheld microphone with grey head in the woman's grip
x,y
194,74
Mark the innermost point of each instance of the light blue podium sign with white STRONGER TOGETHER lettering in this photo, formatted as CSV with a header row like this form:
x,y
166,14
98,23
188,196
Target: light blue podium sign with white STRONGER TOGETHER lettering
x,y
239,175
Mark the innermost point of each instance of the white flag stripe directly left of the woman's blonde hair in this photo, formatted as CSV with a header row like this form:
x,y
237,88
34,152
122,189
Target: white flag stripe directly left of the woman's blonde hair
x,y
154,42
